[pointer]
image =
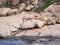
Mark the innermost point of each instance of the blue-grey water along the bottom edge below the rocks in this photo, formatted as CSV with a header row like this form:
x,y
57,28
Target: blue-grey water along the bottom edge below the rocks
x,y
20,42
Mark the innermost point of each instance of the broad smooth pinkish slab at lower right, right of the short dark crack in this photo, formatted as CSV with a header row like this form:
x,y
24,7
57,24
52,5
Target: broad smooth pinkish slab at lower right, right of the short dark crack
x,y
52,30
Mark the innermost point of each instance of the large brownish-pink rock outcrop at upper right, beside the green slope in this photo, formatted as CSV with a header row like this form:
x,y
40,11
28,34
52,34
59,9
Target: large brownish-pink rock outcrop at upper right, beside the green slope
x,y
54,9
